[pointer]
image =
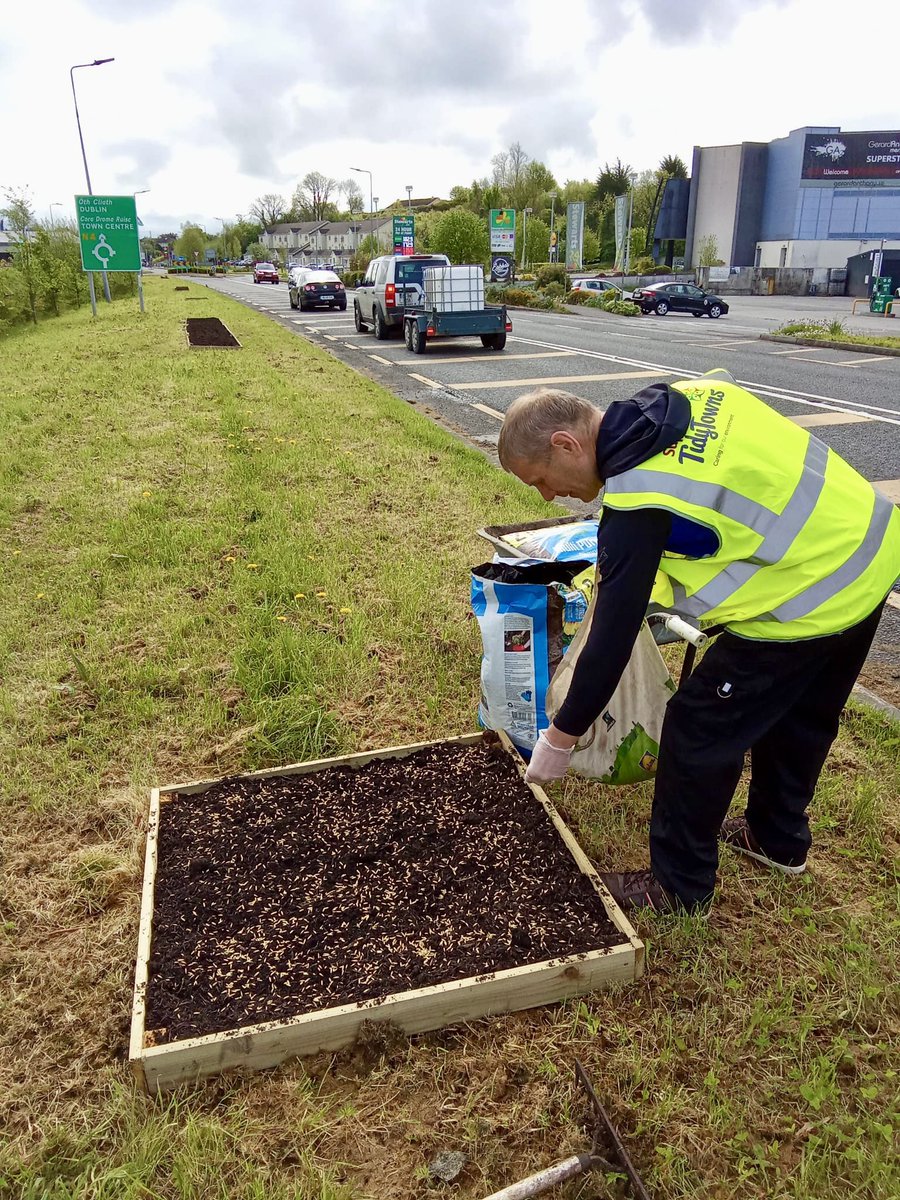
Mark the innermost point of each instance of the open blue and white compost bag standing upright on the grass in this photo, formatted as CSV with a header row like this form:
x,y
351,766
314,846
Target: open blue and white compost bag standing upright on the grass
x,y
529,614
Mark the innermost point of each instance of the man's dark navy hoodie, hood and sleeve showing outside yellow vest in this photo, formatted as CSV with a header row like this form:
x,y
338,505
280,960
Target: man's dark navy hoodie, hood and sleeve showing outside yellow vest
x,y
629,549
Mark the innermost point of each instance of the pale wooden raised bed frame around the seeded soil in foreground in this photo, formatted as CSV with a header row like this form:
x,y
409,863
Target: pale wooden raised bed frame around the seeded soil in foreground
x,y
268,1043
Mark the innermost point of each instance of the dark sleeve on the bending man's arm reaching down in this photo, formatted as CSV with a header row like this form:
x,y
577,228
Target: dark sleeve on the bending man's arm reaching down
x,y
629,549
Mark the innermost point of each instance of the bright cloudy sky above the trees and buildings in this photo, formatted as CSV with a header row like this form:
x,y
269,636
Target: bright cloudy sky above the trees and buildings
x,y
212,103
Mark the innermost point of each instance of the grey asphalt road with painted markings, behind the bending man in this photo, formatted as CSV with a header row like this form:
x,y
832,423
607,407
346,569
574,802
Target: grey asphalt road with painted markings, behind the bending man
x,y
850,399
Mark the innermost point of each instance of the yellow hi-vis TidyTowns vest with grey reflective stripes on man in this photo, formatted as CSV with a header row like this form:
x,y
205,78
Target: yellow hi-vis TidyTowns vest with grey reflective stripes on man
x,y
807,547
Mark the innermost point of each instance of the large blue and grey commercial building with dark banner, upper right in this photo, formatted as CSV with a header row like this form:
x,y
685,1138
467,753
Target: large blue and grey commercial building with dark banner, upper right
x,y
815,199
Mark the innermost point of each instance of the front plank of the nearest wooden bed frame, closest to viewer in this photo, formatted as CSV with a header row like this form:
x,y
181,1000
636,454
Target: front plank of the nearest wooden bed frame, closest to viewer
x,y
416,1012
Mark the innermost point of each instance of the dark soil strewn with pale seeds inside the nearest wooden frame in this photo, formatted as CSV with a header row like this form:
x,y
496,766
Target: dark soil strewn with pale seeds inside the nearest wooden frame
x,y
291,895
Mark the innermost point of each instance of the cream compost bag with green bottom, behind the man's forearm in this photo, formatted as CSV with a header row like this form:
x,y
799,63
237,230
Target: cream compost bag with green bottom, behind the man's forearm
x,y
622,746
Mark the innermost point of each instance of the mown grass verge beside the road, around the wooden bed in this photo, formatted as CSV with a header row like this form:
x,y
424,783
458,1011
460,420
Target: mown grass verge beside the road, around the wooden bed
x,y
218,561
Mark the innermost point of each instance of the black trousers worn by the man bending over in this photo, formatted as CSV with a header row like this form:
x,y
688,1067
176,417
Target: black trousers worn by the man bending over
x,y
779,700
